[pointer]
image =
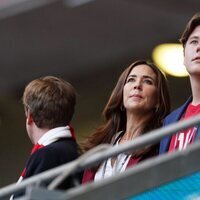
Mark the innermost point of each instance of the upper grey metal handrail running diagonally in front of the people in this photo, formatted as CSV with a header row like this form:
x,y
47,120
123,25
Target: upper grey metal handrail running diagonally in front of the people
x,y
88,161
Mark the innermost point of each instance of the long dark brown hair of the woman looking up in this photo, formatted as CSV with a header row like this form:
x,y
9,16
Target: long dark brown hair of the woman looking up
x,y
115,117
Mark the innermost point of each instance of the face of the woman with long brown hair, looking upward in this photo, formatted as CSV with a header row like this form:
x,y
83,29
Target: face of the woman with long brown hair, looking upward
x,y
140,90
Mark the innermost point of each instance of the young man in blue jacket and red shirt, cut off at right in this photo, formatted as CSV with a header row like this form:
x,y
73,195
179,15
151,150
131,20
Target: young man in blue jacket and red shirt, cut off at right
x,y
190,40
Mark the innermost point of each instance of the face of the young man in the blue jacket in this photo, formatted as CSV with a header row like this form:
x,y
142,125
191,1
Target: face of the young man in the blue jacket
x,y
192,52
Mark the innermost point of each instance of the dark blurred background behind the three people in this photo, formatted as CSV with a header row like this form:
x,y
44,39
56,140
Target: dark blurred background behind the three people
x,y
89,46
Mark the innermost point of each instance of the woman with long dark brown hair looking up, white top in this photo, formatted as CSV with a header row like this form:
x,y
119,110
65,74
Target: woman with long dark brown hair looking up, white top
x,y
138,104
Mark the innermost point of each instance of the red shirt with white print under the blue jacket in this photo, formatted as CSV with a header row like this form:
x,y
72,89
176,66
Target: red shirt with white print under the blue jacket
x,y
183,138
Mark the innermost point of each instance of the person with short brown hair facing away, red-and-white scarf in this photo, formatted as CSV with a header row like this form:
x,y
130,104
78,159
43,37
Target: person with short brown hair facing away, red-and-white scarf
x,y
49,106
